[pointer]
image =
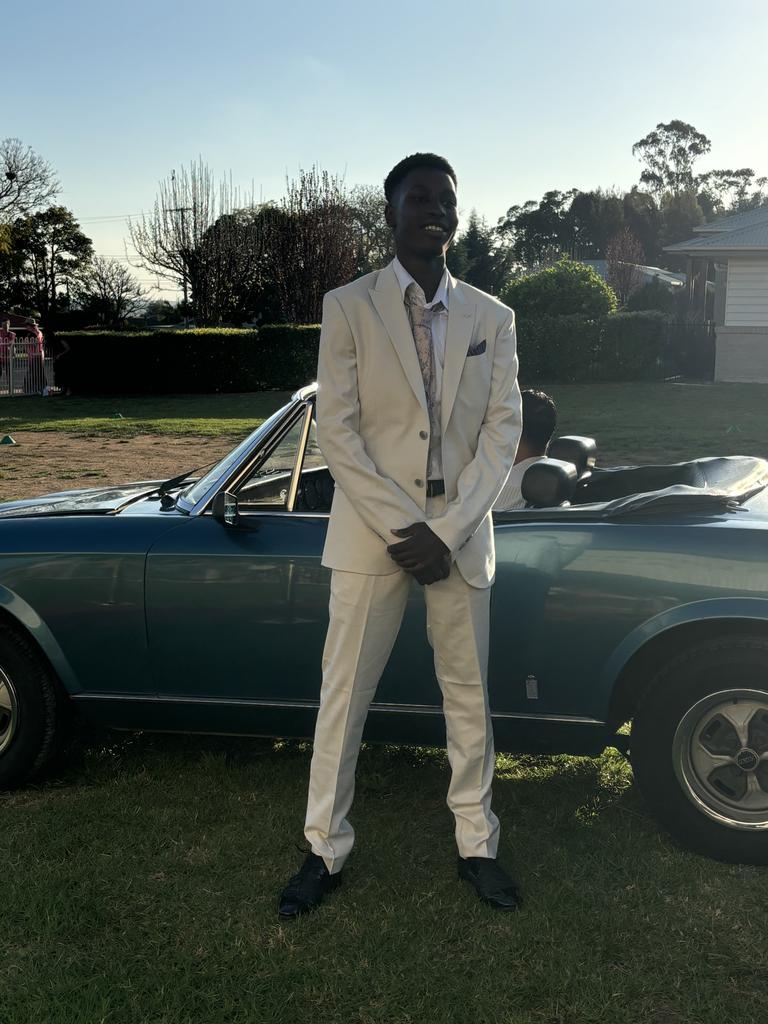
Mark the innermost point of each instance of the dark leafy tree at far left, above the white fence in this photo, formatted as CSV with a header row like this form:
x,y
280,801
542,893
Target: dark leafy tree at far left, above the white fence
x,y
49,252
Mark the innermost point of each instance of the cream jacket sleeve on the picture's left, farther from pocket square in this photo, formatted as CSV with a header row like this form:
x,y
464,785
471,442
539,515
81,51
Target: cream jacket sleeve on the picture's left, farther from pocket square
x,y
381,503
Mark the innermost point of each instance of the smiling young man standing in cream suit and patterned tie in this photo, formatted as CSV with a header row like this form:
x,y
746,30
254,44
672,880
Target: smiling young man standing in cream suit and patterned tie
x,y
419,418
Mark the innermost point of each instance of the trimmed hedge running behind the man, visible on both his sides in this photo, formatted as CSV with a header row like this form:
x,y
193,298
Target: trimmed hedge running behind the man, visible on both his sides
x,y
566,350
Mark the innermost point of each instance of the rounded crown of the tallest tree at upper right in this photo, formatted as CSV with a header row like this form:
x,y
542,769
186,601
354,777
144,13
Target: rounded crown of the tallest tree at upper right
x,y
669,154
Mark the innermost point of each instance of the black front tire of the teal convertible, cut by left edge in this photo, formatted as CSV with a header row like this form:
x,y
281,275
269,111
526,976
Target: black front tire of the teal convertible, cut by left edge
x,y
31,710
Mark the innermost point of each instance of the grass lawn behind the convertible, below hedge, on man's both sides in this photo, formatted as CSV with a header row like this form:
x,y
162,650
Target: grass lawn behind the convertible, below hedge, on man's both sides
x,y
647,422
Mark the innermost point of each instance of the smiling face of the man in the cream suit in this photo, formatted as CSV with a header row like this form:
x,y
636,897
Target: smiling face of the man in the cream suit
x,y
423,214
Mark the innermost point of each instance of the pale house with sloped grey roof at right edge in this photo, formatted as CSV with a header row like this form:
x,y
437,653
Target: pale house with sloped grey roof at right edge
x,y
728,264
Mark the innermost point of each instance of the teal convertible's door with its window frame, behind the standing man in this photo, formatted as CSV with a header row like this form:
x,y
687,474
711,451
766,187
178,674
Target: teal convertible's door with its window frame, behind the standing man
x,y
240,613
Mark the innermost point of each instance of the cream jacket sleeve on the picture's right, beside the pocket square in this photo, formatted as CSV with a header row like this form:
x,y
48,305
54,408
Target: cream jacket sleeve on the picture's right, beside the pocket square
x,y
483,480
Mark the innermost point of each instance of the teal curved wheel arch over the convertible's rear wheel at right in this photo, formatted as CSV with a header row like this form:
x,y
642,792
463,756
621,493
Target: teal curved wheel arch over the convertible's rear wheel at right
x,y
644,653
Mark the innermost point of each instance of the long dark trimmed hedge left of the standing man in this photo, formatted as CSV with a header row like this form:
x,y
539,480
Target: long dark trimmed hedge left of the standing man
x,y
199,361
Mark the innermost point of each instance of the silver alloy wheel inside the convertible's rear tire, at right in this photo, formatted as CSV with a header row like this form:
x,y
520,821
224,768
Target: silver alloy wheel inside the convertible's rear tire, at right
x,y
720,755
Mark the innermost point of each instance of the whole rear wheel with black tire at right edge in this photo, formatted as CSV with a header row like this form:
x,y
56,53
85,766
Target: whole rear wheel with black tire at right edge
x,y
700,749
